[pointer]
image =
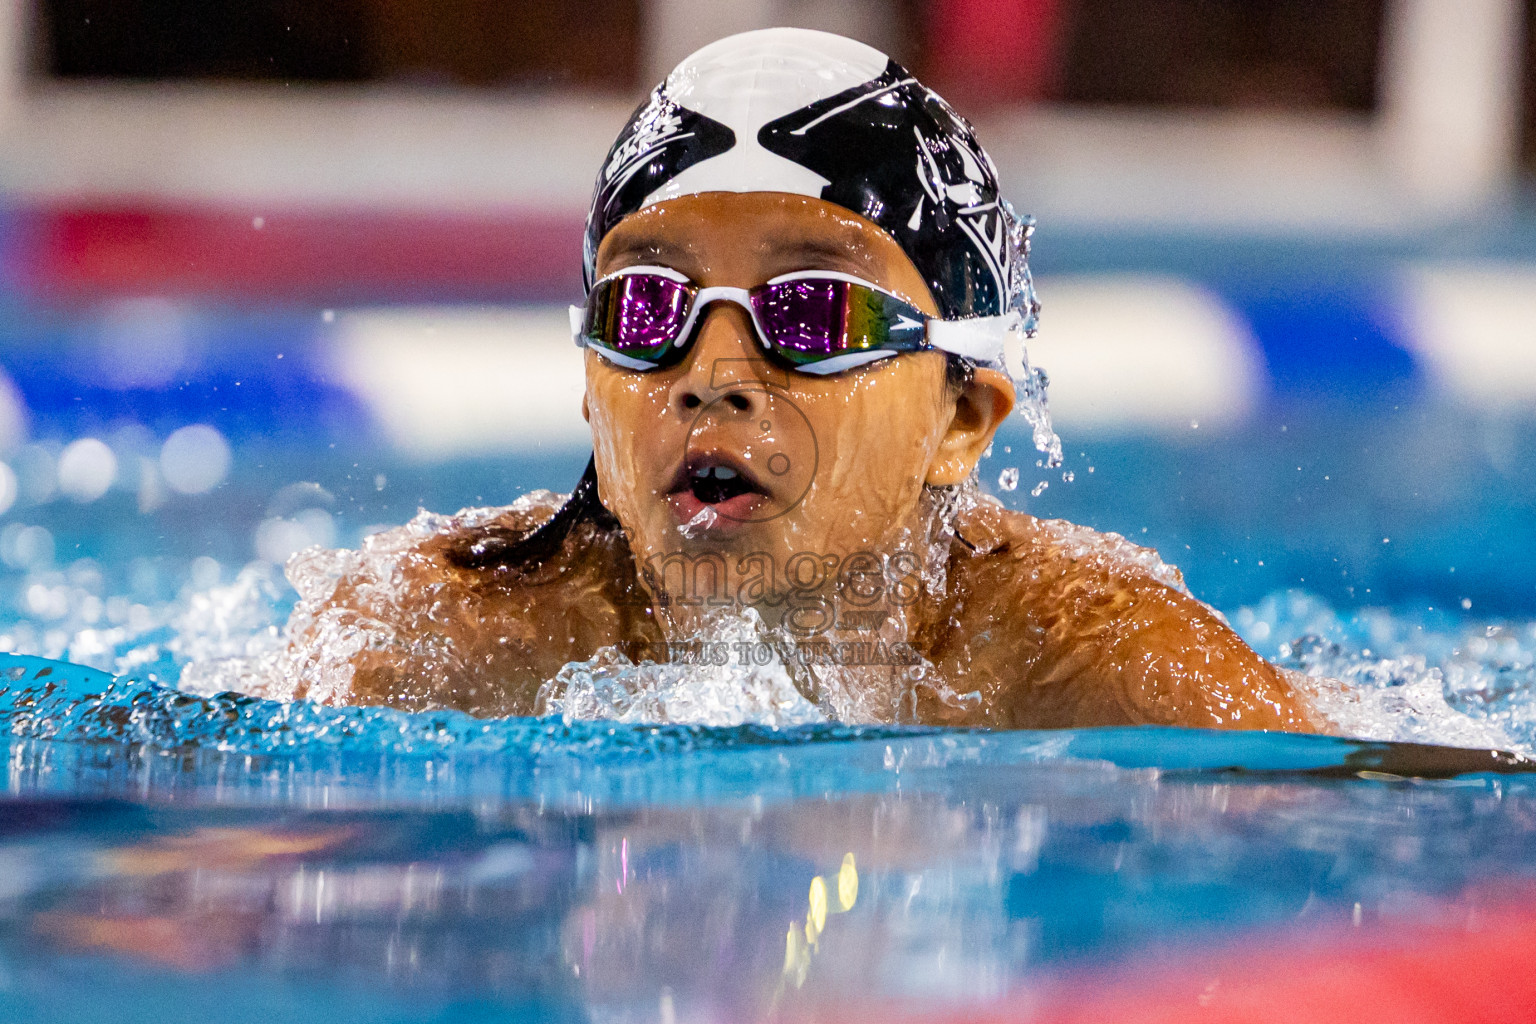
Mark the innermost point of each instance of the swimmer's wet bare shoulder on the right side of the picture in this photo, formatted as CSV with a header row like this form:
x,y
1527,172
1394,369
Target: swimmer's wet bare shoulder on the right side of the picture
x,y
1073,627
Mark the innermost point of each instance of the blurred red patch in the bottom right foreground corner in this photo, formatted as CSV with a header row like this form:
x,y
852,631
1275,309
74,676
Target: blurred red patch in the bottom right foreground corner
x,y
1481,971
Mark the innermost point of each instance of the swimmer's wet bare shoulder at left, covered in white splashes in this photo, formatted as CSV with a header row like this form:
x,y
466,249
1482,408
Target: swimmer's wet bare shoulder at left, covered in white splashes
x,y
428,616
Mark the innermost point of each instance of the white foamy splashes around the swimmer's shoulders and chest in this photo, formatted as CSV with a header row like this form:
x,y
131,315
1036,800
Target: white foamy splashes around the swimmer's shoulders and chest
x,y
1429,678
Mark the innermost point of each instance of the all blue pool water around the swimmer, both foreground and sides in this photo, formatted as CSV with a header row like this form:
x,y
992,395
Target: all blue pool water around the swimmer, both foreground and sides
x,y
177,857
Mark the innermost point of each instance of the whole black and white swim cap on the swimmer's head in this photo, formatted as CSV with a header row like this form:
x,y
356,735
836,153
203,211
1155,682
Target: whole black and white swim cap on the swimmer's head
x,y
829,117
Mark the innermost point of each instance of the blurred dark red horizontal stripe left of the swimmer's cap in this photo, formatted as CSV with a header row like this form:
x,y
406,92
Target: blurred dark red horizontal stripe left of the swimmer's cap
x,y
305,256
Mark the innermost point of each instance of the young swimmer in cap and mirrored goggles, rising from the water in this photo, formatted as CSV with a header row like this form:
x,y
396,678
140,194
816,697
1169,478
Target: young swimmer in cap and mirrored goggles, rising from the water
x,y
806,300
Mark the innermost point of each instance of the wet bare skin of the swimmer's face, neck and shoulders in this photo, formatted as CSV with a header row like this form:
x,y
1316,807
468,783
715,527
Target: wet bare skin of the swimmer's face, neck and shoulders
x,y
1041,621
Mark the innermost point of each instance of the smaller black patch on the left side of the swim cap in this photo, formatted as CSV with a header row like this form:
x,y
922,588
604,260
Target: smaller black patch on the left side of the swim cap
x,y
658,144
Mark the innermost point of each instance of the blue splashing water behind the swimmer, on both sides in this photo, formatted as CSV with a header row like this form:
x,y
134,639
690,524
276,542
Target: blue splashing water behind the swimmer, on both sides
x,y
1388,549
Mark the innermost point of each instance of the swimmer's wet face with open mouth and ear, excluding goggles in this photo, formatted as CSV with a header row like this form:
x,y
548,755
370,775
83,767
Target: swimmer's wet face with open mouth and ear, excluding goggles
x,y
763,460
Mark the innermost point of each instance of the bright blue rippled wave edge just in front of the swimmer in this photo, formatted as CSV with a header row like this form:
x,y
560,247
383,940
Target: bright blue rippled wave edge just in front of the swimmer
x,y
78,730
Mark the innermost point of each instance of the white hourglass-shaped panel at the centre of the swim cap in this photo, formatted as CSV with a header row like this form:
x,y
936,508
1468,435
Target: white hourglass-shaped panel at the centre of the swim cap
x,y
752,79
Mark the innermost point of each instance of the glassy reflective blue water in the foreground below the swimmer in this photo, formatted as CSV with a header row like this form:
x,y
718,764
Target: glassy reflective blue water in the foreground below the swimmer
x,y
247,859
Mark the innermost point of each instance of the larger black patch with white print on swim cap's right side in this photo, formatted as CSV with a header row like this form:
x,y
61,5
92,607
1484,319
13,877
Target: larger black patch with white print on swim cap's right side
x,y
898,154
